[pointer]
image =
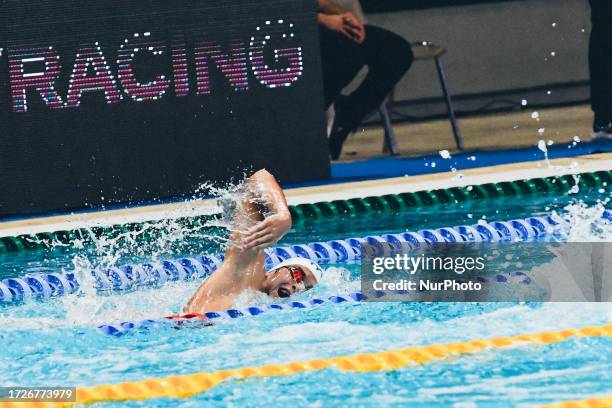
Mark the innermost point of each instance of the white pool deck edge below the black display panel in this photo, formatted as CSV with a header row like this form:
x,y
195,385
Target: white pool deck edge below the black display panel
x,y
482,175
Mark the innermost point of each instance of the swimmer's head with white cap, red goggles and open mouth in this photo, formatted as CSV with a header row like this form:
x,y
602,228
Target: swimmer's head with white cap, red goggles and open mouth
x,y
293,276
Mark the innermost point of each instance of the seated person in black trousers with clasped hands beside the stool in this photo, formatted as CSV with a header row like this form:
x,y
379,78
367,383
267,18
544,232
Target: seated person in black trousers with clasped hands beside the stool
x,y
347,45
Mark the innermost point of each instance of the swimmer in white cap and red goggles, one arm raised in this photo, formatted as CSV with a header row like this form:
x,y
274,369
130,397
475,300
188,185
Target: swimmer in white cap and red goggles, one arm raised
x,y
260,221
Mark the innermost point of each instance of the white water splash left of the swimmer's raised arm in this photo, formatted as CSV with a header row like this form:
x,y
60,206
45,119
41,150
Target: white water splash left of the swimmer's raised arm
x,y
153,240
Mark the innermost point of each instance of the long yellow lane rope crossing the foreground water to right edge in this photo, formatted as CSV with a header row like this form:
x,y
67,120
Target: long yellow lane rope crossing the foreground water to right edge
x,y
182,386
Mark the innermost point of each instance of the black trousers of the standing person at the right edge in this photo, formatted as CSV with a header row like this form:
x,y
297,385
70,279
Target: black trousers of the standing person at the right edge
x,y
600,58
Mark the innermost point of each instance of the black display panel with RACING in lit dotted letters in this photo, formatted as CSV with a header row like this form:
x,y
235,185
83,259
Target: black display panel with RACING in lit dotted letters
x,y
114,101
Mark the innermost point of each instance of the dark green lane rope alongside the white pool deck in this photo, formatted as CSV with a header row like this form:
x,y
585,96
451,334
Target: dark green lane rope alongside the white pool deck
x,y
353,207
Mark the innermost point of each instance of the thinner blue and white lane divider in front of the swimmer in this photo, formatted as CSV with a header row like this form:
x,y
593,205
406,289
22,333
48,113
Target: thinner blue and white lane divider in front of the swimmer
x,y
124,327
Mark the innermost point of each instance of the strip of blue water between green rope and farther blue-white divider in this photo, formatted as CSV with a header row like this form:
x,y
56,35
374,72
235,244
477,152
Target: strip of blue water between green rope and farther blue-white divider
x,y
171,239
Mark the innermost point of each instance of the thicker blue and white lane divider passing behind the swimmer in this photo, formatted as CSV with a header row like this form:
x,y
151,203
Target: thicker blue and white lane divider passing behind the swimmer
x,y
341,250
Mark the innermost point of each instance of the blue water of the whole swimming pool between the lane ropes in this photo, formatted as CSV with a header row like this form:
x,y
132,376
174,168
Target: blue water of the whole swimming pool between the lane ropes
x,y
56,341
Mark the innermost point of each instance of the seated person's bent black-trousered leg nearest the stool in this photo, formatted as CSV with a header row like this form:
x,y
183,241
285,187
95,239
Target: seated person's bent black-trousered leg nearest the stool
x,y
388,57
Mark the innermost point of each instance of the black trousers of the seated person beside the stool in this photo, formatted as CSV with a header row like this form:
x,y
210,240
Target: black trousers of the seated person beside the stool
x,y
388,57
